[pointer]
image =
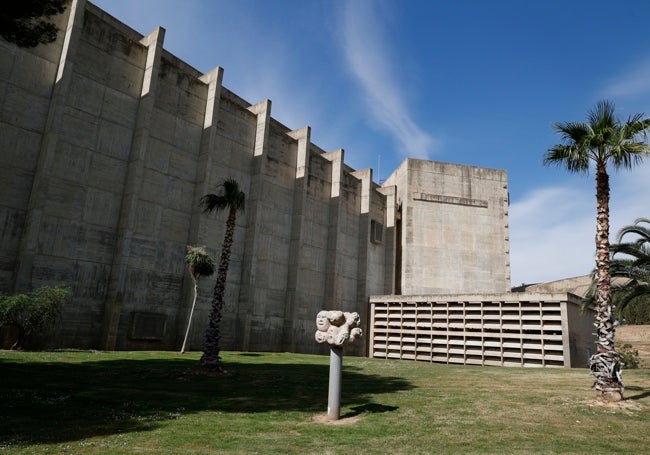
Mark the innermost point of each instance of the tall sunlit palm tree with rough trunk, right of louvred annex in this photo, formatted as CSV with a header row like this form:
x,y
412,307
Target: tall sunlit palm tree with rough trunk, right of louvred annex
x,y
603,140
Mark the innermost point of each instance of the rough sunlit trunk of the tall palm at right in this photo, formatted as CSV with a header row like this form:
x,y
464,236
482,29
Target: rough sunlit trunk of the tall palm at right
x,y
604,363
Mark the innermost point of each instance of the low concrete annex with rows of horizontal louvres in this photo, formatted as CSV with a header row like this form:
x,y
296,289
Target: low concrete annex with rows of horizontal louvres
x,y
504,330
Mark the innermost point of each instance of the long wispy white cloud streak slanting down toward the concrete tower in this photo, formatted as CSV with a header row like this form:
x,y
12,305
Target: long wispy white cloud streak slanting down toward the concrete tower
x,y
367,53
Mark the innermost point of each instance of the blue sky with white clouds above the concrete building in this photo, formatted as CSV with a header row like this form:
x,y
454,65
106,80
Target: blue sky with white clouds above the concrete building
x,y
470,81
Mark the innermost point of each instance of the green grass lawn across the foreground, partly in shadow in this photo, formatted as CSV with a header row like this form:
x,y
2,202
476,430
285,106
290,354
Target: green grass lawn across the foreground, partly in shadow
x,y
83,402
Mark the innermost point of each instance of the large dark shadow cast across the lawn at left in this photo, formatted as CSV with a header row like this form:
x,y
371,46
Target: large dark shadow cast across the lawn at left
x,y
57,402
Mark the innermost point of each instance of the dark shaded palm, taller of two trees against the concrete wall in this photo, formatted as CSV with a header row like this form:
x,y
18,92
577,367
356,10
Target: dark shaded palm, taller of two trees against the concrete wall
x,y
229,197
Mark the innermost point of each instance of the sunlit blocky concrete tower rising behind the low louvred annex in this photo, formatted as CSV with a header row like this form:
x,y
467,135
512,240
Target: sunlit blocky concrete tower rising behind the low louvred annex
x,y
454,235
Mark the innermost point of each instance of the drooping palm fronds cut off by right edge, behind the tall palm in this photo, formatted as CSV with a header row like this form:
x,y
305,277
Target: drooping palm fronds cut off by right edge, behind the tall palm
x,y
635,266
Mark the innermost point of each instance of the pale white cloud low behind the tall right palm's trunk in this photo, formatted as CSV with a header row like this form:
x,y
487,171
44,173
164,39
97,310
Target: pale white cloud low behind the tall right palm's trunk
x,y
552,229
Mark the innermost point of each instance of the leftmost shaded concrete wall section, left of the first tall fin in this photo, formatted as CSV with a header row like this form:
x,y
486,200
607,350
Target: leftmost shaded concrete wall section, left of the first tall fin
x,y
26,85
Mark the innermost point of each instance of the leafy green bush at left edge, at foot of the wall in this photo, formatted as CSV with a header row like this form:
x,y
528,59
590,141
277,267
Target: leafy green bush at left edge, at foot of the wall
x,y
33,312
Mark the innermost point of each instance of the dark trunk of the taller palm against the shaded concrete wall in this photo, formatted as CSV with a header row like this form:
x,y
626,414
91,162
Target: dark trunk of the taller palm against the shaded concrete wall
x,y
211,360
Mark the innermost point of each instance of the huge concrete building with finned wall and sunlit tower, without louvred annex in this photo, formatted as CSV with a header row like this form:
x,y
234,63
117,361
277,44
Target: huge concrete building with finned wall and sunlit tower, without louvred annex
x,y
107,143
